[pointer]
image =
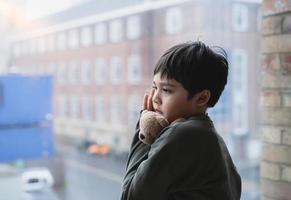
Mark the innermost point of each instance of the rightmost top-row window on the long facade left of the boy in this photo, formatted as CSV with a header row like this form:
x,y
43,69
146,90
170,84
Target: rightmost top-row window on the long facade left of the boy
x,y
133,29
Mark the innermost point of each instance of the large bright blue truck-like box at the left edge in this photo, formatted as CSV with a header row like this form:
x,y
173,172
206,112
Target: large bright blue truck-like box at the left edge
x,y
26,117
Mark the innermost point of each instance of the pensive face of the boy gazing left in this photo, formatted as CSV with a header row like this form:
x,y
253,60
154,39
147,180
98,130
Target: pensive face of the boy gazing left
x,y
170,99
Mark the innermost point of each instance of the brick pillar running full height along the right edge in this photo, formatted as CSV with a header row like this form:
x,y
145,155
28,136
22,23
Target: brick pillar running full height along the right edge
x,y
275,100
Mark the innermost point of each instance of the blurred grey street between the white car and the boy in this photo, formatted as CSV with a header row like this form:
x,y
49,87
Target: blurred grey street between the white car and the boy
x,y
88,176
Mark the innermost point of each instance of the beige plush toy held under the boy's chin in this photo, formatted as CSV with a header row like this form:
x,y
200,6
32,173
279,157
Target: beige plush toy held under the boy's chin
x,y
150,124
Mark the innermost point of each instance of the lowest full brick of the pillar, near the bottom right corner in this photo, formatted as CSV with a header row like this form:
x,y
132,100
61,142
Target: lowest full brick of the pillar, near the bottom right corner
x,y
276,190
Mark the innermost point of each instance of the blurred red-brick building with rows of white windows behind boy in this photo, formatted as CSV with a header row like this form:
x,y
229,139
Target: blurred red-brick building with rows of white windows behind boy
x,y
103,63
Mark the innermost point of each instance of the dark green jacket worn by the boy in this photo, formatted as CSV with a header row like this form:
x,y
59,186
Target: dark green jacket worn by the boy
x,y
188,161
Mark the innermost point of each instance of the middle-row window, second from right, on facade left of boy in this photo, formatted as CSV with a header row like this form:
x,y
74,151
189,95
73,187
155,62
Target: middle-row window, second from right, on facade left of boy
x,y
116,70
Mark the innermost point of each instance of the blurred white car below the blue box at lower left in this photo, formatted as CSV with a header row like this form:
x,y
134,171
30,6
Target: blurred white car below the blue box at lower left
x,y
36,179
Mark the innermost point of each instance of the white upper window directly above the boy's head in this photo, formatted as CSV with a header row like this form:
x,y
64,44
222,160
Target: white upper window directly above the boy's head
x,y
174,21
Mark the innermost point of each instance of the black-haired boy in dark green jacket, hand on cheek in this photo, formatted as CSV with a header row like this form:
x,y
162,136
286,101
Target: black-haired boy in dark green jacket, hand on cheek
x,y
189,160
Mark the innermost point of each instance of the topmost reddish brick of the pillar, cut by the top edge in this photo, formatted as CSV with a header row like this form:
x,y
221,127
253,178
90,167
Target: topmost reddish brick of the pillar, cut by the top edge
x,y
272,7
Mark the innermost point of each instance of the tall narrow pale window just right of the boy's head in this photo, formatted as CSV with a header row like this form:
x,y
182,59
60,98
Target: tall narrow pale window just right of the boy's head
x,y
240,91
